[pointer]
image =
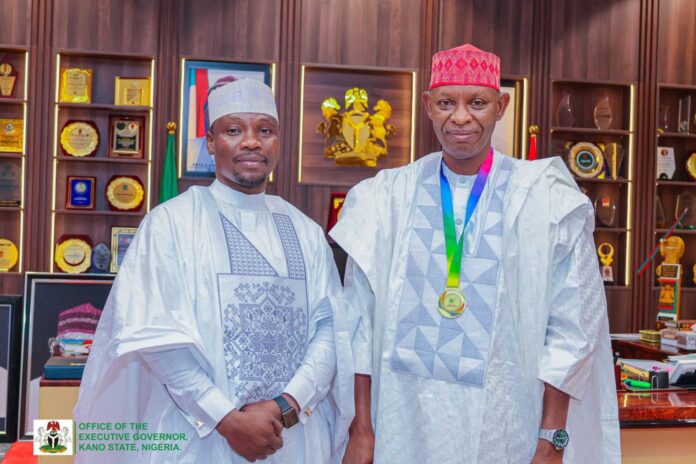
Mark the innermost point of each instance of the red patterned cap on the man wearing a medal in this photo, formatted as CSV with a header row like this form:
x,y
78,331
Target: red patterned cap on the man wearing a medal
x,y
465,65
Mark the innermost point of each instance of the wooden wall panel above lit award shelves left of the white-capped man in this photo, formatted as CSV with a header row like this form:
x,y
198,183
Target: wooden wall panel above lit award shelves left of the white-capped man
x,y
125,26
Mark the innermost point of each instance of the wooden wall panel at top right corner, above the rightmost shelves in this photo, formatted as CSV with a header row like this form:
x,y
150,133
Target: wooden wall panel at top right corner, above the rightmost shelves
x,y
677,42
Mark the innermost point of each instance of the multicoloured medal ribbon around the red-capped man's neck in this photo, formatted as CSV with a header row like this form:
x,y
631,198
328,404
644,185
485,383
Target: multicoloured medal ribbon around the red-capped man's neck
x,y
453,246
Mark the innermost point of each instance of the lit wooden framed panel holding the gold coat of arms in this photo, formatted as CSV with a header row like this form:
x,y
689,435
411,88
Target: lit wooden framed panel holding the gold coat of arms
x,y
354,122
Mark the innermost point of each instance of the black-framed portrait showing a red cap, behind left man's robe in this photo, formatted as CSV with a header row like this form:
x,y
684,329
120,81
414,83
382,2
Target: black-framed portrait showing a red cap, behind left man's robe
x,y
51,299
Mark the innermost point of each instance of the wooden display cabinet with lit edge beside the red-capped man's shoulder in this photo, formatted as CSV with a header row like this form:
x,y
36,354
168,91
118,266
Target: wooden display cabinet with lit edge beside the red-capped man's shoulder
x,y
566,131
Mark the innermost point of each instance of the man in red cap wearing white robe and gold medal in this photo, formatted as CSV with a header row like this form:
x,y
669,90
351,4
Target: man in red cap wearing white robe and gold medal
x,y
484,334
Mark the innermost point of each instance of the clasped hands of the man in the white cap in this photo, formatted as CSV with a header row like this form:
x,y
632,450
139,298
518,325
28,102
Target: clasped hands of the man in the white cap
x,y
253,435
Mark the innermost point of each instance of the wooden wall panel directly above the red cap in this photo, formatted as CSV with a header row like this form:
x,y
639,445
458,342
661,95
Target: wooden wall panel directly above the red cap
x,y
503,27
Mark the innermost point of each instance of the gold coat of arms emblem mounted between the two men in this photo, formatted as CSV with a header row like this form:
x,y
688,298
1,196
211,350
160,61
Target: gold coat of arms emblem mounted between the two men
x,y
355,137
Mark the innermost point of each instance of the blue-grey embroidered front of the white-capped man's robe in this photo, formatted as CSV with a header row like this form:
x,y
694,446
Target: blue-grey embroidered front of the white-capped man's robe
x,y
264,315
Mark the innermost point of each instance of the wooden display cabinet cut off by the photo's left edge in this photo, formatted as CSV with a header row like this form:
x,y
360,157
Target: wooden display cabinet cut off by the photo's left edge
x,y
15,107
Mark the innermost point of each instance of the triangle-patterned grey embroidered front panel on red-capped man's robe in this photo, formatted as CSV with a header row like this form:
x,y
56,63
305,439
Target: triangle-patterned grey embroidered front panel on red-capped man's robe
x,y
427,344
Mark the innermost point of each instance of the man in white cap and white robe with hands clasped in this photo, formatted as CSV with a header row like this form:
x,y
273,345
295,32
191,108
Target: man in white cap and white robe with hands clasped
x,y
224,322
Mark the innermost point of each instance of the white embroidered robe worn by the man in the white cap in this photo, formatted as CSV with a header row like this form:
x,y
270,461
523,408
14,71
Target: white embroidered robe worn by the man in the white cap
x,y
225,275
